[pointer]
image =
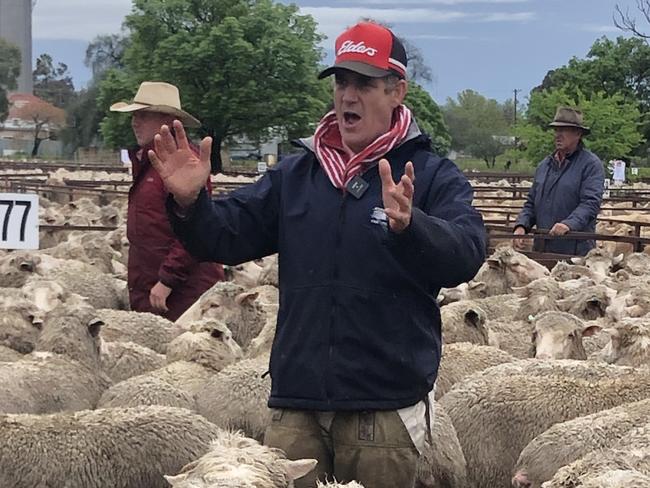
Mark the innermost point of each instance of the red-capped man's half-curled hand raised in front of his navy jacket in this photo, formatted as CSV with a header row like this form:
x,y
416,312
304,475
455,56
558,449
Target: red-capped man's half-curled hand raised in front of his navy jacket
x,y
397,197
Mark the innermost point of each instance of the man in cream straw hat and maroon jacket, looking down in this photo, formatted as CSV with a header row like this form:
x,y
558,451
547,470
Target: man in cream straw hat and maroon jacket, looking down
x,y
163,278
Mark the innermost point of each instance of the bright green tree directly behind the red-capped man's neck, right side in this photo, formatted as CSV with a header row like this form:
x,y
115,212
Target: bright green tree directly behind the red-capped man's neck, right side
x,y
429,117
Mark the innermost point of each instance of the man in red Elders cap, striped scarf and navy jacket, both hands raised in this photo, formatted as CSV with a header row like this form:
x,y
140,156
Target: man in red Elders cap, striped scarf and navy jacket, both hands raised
x,y
369,224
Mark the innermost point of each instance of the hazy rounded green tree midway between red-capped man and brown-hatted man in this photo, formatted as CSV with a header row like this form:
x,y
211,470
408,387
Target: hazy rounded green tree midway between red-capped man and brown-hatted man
x,y
478,125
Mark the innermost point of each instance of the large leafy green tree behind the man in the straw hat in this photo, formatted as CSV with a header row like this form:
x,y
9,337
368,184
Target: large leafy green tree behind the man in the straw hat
x,y
243,67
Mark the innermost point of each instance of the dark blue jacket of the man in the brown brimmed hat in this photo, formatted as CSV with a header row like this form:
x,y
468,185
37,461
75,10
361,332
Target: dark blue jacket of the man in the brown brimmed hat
x,y
570,194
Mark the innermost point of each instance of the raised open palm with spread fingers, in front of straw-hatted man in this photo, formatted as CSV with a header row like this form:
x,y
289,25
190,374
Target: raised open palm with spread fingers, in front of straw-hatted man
x,y
182,171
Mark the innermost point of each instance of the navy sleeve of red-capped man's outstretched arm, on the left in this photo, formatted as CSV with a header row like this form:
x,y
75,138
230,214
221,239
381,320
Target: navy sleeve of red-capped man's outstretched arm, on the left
x,y
240,227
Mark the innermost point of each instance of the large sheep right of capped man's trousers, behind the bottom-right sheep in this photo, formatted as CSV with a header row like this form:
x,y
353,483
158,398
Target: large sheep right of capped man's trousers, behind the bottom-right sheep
x,y
498,411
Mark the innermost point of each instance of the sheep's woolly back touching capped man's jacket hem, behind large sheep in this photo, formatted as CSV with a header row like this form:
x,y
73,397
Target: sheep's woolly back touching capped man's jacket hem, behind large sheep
x,y
461,359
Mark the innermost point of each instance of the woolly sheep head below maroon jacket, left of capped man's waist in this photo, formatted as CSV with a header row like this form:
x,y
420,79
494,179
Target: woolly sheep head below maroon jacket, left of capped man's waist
x,y
209,342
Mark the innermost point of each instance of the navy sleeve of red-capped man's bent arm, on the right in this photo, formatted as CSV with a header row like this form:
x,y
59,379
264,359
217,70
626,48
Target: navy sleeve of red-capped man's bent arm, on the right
x,y
446,239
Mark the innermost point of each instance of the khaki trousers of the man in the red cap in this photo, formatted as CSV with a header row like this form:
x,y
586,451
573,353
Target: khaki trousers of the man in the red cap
x,y
373,448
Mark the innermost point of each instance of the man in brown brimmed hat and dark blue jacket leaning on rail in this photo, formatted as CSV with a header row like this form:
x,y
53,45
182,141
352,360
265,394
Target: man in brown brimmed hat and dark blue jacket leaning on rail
x,y
567,190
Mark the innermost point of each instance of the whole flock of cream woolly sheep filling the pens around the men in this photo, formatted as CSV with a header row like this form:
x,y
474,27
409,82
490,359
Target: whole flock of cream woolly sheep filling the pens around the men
x,y
544,380
